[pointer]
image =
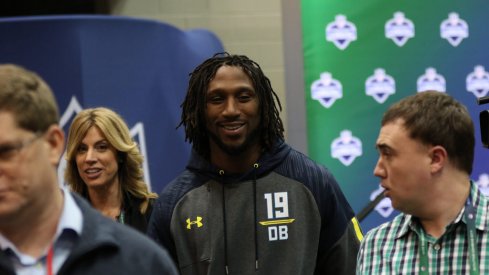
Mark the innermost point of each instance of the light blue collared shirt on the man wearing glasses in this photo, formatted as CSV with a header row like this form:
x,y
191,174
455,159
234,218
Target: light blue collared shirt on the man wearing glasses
x,y
67,233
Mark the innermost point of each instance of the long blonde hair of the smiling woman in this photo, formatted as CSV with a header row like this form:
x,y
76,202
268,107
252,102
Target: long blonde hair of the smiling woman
x,y
115,130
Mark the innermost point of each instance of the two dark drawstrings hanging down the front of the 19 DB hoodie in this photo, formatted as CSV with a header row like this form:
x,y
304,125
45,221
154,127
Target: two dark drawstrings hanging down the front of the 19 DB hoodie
x,y
226,266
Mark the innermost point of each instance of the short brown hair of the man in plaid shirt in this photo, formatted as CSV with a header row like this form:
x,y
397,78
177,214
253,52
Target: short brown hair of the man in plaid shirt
x,y
435,118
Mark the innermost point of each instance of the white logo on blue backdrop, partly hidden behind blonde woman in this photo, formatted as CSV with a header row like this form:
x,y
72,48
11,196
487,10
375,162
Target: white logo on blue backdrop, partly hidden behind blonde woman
x,y
137,132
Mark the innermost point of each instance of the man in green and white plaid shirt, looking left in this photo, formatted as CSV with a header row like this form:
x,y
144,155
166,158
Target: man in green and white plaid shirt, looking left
x,y
426,151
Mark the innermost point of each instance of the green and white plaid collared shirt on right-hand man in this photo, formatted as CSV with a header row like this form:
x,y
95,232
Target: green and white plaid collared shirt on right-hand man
x,y
393,248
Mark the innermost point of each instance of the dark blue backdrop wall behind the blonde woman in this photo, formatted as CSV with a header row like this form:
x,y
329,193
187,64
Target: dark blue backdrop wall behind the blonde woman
x,y
139,68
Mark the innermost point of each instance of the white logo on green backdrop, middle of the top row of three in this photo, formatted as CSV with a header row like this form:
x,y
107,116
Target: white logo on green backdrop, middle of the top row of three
x,y
399,29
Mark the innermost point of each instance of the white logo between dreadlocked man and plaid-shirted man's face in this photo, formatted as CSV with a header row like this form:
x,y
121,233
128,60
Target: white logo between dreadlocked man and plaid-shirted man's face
x,y
346,148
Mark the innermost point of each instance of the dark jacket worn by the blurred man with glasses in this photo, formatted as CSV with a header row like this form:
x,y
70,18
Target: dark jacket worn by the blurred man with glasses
x,y
106,247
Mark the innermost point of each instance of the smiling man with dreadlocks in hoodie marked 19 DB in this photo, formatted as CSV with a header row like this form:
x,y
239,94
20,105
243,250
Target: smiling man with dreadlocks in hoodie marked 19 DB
x,y
247,203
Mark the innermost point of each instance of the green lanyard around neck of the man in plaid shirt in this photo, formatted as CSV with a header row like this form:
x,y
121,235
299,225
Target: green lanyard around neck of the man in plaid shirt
x,y
469,215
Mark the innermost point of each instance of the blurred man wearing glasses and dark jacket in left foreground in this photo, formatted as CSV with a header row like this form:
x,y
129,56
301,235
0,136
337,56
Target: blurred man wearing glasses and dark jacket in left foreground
x,y
45,229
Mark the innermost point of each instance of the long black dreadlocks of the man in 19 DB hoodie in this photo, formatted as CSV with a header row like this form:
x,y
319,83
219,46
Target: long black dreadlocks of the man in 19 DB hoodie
x,y
194,105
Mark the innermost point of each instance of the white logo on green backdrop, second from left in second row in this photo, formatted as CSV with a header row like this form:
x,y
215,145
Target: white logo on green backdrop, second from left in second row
x,y
380,85
